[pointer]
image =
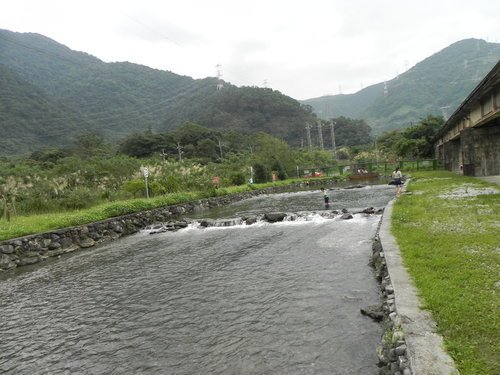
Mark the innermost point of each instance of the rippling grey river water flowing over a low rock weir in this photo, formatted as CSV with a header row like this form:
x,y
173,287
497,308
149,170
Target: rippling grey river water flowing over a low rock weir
x,y
281,298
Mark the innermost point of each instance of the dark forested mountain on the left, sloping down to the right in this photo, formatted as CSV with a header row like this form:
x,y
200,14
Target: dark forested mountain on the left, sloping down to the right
x,y
51,93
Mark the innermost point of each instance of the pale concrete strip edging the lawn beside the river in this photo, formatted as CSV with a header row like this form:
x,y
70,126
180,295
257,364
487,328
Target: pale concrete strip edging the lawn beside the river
x,y
424,346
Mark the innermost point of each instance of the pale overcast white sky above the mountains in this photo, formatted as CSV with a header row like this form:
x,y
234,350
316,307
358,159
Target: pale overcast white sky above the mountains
x,y
304,49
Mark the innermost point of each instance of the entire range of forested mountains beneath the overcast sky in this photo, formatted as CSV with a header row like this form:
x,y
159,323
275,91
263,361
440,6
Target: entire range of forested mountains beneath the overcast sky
x,y
50,93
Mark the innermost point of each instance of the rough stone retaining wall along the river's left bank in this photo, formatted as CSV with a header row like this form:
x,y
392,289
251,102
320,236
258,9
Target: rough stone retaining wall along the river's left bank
x,y
35,248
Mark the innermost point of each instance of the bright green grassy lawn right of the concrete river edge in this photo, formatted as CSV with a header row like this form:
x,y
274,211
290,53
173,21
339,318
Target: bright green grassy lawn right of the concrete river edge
x,y
449,234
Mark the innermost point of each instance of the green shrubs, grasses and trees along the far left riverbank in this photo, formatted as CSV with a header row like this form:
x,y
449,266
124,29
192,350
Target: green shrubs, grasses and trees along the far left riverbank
x,y
60,187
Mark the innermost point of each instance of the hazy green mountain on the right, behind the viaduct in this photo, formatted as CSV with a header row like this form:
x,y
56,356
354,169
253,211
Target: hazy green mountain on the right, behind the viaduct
x,y
436,86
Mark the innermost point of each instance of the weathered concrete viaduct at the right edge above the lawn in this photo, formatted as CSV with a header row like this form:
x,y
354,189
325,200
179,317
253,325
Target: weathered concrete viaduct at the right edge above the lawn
x,y
469,141
